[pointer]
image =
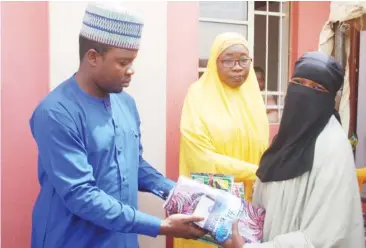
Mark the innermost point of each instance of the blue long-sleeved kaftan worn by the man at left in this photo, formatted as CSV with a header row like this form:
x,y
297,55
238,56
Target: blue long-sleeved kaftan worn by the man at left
x,y
90,169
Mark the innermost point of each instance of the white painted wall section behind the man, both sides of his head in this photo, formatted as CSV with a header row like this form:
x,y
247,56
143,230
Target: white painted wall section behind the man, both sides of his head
x,y
148,85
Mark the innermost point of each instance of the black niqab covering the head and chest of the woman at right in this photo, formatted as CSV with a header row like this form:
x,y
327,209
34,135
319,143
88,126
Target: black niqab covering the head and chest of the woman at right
x,y
306,113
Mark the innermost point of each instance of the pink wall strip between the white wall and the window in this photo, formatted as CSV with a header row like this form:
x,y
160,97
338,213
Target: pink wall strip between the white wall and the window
x,y
182,70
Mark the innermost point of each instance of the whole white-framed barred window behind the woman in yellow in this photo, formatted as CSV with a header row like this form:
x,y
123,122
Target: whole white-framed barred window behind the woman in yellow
x,y
263,23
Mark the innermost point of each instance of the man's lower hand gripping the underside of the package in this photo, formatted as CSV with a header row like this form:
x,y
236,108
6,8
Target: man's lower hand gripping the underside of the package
x,y
182,226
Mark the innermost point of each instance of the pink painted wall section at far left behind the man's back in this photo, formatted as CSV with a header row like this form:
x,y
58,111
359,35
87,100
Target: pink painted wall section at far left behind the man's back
x,y
24,67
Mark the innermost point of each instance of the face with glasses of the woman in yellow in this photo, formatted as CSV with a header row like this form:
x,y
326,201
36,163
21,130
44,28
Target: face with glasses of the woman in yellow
x,y
233,65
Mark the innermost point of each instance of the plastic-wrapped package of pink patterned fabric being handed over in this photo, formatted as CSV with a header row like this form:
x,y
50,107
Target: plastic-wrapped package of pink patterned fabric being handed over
x,y
219,208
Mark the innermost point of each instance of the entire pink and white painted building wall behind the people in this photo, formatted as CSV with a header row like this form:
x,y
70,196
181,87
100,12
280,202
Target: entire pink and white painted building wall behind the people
x,y
39,50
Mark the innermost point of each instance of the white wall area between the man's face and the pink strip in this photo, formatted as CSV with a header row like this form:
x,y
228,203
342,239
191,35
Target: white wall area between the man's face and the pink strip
x,y
149,89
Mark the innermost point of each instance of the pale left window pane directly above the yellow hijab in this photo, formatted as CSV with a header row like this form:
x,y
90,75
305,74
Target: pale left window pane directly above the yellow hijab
x,y
222,16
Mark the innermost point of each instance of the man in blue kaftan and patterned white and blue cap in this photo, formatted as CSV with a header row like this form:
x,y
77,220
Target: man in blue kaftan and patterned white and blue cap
x,y
90,163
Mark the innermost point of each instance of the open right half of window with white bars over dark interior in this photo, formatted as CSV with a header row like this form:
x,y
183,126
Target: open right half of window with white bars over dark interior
x,y
271,32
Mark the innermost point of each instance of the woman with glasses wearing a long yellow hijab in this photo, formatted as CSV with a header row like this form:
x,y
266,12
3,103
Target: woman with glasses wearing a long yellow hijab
x,y
224,126
